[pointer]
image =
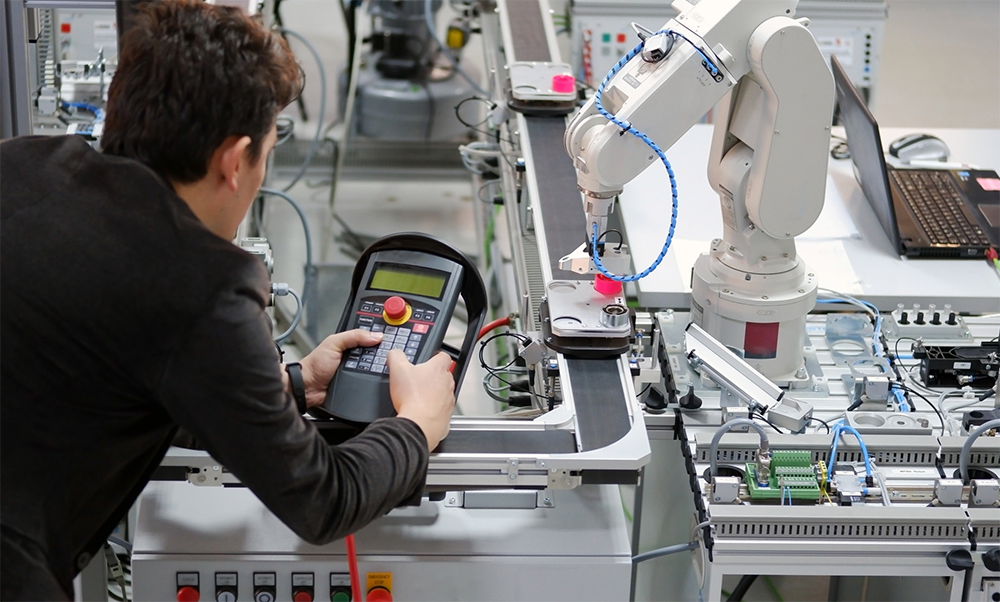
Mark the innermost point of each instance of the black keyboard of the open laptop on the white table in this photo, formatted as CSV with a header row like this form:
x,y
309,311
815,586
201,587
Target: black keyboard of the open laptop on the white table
x,y
937,204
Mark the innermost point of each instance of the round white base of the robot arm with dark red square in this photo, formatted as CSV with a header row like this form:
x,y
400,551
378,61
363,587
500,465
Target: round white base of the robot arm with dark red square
x,y
763,315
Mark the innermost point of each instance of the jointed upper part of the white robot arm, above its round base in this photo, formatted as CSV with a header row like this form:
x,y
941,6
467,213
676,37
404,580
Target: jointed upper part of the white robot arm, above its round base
x,y
751,48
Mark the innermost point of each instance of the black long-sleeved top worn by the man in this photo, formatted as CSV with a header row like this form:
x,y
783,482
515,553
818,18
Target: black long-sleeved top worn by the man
x,y
121,318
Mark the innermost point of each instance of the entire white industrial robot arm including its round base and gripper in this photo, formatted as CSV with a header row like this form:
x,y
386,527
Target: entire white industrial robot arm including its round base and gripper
x,y
773,97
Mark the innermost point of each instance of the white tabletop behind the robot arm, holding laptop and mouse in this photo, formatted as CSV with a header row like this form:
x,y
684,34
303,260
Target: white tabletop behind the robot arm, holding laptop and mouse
x,y
846,247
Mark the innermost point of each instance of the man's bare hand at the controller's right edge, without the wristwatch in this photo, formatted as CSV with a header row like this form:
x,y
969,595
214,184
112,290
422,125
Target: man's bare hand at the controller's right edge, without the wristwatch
x,y
424,393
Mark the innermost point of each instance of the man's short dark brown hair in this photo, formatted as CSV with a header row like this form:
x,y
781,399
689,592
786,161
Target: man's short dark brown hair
x,y
189,76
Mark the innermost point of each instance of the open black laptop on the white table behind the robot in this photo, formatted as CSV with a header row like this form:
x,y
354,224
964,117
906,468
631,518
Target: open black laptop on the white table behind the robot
x,y
926,212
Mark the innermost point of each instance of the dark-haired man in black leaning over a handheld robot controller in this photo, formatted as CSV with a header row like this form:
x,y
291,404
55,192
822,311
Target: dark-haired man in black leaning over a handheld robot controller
x,y
127,312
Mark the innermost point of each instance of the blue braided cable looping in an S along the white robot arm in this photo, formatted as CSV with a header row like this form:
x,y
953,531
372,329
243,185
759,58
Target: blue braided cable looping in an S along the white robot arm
x,y
627,127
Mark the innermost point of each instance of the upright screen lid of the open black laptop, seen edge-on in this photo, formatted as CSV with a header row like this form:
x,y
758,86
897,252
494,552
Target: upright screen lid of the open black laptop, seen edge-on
x,y
865,144
